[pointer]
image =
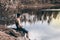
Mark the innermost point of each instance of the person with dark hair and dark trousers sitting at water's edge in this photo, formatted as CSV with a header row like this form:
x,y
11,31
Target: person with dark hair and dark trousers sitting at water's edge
x,y
20,26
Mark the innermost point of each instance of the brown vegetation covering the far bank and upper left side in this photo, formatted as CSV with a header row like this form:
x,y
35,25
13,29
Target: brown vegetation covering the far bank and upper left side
x,y
9,8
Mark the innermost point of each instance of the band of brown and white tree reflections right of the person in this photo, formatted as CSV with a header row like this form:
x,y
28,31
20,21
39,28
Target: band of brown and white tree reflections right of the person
x,y
40,16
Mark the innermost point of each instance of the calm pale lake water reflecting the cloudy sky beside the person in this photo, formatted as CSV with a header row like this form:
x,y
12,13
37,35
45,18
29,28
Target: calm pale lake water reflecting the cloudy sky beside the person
x,y
45,28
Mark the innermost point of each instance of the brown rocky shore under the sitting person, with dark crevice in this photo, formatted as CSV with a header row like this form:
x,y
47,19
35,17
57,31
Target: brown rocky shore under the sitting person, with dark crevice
x,y
10,34
